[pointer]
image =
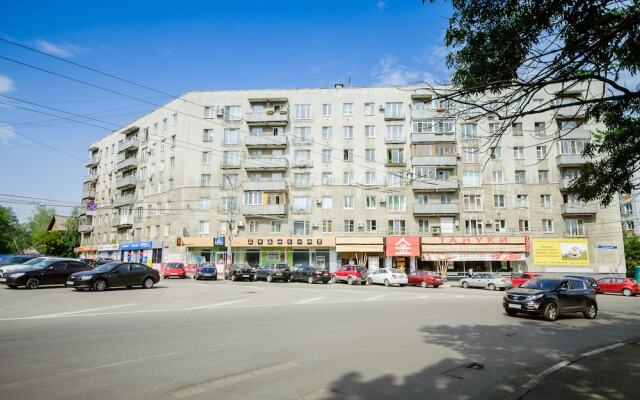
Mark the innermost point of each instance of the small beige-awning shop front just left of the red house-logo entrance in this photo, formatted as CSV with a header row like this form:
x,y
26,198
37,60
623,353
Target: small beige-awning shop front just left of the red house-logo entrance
x,y
360,250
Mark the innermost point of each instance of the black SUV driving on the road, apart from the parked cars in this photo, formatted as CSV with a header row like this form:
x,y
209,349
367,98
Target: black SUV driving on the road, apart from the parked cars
x,y
551,297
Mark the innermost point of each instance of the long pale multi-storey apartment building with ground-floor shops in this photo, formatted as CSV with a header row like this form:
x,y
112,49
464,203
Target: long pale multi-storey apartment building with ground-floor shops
x,y
379,176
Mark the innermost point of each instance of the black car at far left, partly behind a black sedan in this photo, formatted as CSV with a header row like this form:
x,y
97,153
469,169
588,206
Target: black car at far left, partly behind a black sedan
x,y
48,271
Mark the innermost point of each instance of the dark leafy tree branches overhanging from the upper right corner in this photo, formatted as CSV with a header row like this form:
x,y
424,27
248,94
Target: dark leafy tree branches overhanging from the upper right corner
x,y
509,52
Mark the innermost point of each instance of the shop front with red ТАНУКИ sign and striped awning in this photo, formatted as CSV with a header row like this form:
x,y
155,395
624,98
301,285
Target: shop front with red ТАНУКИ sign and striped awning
x,y
500,254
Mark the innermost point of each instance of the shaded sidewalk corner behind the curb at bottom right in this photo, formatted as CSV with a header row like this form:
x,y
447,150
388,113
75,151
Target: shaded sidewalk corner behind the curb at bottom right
x,y
613,374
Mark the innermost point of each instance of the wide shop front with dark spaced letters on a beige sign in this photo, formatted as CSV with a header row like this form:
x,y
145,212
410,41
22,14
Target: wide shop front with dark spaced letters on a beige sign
x,y
316,251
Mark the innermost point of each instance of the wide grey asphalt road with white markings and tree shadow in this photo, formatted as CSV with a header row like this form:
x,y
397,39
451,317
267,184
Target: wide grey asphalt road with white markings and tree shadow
x,y
232,340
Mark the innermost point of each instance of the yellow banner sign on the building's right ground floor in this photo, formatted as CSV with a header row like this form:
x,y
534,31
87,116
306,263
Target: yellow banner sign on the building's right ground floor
x,y
567,252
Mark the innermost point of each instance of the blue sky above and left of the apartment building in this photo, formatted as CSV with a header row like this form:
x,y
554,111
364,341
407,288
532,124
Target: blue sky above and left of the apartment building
x,y
180,46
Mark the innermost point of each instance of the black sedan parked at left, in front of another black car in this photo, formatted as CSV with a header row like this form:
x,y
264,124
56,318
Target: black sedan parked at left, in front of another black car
x,y
115,274
